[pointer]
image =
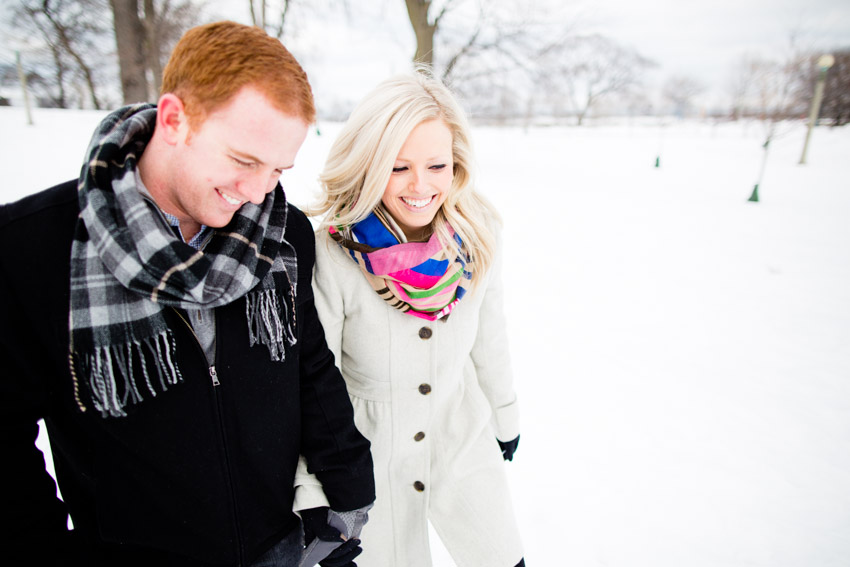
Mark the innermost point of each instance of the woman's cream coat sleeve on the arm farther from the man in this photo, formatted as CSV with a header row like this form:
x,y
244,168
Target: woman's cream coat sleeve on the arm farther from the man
x,y
491,356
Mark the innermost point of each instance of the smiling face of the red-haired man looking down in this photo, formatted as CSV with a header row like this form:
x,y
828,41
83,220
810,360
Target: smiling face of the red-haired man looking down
x,y
236,155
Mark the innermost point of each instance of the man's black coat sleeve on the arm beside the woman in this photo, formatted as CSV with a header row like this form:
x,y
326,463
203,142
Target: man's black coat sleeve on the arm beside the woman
x,y
333,448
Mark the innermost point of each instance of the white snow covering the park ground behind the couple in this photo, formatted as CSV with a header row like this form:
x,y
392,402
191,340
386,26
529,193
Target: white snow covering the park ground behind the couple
x,y
682,356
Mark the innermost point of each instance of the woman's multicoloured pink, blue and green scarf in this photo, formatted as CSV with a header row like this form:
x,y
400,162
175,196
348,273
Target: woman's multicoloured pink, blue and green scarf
x,y
422,279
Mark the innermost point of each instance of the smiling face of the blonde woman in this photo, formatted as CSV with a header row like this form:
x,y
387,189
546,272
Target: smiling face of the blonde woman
x,y
421,178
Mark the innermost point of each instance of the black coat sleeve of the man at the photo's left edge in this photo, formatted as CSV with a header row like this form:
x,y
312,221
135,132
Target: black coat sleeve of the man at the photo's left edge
x,y
33,517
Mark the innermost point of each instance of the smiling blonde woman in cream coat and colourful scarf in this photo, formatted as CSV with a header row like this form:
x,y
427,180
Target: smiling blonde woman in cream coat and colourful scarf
x,y
408,290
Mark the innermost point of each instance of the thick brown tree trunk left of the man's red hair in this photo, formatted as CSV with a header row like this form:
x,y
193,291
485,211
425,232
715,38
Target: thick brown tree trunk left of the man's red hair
x,y
130,41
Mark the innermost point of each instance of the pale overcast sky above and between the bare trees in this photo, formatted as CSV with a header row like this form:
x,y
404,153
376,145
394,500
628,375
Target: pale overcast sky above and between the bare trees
x,y
346,54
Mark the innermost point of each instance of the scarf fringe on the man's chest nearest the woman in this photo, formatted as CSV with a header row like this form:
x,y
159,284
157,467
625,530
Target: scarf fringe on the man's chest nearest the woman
x,y
269,322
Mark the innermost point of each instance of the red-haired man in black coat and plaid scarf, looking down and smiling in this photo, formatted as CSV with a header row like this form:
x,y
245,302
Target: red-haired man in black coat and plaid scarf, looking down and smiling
x,y
157,313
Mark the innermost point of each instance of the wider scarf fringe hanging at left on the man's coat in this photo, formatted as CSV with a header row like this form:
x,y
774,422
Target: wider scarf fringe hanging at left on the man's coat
x,y
109,371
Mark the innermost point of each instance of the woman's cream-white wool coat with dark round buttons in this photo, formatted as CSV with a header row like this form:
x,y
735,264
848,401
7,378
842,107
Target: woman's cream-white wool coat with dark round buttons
x,y
432,397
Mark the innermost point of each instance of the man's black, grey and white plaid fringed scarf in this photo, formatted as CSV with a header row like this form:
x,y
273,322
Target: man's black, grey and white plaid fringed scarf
x,y
126,268
